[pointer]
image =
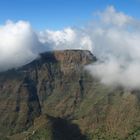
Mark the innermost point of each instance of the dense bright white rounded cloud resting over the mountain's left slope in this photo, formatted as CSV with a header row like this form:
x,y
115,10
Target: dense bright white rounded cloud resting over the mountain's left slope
x,y
18,44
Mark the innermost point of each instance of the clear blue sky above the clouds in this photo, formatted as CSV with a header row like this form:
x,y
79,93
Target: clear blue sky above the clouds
x,y
58,14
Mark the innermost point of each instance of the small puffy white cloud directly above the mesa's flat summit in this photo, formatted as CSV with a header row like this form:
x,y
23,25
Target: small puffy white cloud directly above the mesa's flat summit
x,y
69,38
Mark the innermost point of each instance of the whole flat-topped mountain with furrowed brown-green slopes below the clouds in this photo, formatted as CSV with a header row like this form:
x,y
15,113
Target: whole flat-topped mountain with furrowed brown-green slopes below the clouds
x,y
55,98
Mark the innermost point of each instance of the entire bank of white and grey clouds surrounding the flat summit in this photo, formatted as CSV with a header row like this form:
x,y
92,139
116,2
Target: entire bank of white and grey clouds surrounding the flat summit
x,y
114,38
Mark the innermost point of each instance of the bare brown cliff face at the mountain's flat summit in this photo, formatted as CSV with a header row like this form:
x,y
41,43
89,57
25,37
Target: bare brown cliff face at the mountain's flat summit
x,y
69,59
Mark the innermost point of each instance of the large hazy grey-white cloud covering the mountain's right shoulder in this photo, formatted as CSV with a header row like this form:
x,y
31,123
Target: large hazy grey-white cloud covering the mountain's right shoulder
x,y
117,47
